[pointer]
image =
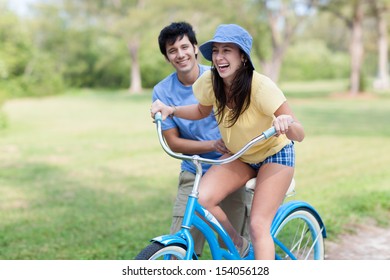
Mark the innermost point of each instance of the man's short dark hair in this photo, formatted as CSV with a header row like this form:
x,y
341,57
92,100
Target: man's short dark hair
x,y
173,32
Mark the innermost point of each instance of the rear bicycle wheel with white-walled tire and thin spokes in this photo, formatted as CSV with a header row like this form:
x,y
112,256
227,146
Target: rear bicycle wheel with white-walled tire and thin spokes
x,y
301,233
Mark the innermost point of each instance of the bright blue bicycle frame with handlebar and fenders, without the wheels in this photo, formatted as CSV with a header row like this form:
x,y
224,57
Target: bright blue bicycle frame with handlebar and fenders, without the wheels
x,y
197,216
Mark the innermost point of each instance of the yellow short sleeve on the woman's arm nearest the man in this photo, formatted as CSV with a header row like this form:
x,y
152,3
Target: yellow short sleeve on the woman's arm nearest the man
x,y
203,89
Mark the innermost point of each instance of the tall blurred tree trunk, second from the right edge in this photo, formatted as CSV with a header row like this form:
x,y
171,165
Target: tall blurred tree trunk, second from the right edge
x,y
356,49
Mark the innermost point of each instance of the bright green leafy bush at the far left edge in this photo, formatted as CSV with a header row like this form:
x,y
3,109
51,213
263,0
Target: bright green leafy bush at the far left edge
x,y
25,70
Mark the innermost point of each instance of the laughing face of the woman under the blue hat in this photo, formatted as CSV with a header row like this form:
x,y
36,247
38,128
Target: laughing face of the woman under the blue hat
x,y
227,59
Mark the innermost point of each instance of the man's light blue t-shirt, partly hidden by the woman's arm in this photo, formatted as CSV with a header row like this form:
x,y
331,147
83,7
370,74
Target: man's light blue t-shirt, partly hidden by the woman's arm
x,y
172,92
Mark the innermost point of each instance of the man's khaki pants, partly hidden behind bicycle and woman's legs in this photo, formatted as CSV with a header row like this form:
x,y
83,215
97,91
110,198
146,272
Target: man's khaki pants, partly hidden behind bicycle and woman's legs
x,y
235,207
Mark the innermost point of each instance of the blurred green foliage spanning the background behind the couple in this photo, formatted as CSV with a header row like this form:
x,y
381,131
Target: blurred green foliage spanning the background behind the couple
x,y
78,44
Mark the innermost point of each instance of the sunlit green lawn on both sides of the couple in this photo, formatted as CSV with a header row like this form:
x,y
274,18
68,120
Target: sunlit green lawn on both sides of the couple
x,y
82,176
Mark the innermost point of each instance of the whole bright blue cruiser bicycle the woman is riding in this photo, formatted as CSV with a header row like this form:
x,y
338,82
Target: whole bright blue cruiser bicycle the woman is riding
x,y
297,229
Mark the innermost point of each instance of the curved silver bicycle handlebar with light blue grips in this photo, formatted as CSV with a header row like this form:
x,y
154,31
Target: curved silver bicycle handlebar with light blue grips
x,y
264,135
